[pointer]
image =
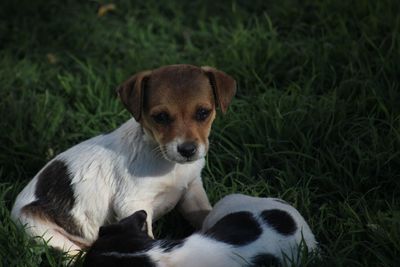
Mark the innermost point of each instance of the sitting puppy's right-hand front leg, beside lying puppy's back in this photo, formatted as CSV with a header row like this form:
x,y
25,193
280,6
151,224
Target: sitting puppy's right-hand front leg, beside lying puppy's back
x,y
194,204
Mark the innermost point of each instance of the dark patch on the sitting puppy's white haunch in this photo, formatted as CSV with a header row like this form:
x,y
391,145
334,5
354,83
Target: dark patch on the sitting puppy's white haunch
x,y
55,197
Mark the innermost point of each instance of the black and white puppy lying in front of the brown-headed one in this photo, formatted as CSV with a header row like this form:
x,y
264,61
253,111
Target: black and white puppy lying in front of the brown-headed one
x,y
240,231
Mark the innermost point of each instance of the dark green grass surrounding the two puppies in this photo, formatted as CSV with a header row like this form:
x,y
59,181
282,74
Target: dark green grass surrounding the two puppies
x,y
316,120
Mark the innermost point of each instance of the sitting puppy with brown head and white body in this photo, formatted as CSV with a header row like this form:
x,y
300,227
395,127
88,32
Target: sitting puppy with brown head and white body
x,y
151,163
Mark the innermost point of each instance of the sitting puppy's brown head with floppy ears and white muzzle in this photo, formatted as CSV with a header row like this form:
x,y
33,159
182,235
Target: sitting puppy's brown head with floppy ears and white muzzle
x,y
176,106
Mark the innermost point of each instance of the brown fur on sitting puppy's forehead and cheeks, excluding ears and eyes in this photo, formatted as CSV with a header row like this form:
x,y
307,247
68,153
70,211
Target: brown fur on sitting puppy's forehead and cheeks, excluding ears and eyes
x,y
179,90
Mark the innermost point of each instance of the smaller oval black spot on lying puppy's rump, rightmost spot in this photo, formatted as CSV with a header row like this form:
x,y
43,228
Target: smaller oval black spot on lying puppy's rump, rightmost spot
x,y
280,220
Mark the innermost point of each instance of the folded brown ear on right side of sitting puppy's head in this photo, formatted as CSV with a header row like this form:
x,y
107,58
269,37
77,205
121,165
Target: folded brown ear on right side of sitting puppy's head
x,y
223,85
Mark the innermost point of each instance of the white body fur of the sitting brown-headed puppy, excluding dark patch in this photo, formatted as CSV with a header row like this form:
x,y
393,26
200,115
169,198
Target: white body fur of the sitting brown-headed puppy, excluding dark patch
x,y
114,175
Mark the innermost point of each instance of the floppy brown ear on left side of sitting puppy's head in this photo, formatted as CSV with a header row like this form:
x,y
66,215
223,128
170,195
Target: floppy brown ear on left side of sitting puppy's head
x,y
131,93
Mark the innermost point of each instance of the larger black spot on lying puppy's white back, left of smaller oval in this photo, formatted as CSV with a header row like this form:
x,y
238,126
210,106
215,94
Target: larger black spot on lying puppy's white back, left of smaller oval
x,y
239,228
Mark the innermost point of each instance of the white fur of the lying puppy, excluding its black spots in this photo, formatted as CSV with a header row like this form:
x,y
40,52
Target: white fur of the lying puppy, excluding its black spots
x,y
199,250
